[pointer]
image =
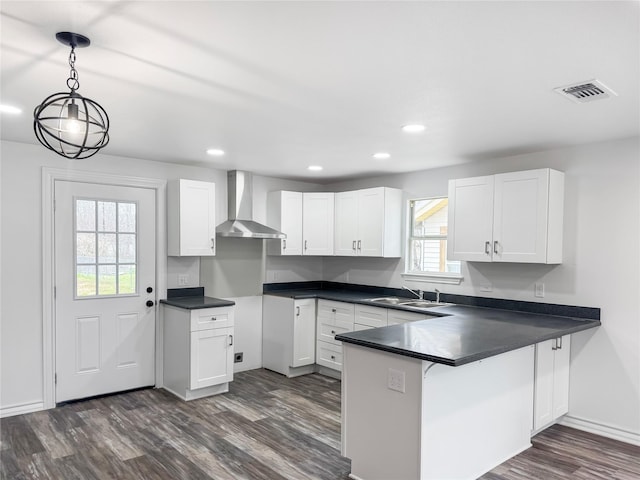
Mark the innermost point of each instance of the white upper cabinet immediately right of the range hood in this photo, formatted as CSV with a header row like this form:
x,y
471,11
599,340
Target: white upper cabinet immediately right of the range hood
x,y
284,213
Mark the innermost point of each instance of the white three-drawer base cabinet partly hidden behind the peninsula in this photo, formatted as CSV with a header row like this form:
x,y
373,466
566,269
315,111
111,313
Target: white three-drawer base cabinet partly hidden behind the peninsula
x,y
333,318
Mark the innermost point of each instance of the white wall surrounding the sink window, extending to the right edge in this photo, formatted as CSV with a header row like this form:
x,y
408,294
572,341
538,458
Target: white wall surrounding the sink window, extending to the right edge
x,y
601,268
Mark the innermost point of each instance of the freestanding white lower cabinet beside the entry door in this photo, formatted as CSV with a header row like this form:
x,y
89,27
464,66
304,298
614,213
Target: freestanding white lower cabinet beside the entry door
x,y
198,351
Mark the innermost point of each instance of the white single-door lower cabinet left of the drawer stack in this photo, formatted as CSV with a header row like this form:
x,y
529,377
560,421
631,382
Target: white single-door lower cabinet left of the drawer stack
x,y
288,335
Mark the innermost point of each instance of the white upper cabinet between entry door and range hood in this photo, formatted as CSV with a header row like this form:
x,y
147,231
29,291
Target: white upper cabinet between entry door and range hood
x,y
191,218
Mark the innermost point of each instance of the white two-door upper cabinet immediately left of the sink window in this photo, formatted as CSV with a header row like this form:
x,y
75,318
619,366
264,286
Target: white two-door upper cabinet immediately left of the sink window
x,y
368,222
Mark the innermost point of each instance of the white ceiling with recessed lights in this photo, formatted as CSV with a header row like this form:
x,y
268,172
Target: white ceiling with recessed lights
x,y
280,86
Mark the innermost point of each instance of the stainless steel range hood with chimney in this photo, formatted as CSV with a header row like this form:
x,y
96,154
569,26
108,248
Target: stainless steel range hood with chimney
x,y
240,209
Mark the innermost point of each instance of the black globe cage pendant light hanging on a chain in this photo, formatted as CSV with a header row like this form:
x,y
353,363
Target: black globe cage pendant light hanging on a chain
x,y
68,123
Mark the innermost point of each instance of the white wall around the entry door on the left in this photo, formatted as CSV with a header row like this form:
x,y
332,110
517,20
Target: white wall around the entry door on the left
x,y
21,379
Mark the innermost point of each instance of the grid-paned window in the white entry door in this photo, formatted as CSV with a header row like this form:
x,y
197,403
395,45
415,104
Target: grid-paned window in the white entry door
x,y
105,248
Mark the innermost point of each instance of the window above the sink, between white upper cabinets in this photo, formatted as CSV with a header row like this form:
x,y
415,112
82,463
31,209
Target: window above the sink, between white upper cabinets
x,y
428,238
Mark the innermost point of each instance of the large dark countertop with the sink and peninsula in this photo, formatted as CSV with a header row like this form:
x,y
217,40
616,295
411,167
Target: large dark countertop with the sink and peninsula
x,y
462,333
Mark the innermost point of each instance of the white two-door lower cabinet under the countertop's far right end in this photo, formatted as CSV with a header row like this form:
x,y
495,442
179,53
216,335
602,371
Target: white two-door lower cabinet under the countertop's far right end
x,y
551,387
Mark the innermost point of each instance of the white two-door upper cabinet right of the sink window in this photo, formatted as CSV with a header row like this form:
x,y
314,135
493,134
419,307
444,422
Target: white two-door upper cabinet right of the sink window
x,y
509,217
